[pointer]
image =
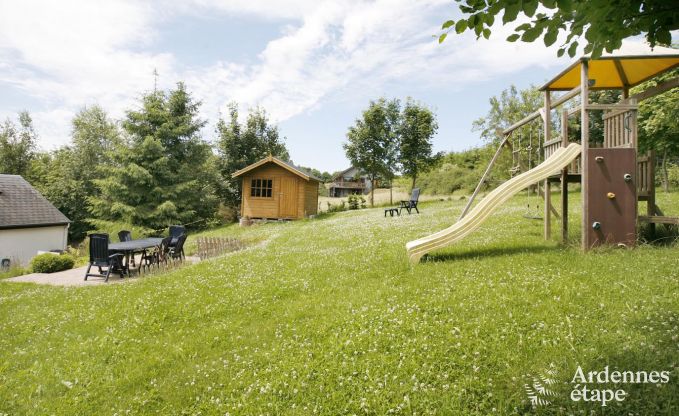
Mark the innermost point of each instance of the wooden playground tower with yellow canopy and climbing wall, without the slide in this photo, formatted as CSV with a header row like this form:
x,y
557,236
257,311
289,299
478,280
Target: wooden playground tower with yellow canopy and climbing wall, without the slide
x,y
613,176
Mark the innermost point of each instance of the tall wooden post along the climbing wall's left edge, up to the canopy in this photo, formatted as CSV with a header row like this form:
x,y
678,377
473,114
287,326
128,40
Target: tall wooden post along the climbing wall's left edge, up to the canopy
x,y
584,143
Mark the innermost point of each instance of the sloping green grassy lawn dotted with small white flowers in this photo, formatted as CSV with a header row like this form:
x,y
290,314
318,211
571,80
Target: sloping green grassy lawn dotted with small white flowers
x,y
326,316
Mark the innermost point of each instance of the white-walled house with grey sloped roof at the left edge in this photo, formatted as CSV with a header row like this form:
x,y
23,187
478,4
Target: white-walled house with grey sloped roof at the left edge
x,y
28,222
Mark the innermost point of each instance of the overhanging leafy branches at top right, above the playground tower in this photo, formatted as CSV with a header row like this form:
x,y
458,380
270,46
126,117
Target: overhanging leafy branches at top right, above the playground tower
x,y
598,24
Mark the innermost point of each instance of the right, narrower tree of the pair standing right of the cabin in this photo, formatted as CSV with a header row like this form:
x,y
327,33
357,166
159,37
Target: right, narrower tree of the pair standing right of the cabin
x,y
417,127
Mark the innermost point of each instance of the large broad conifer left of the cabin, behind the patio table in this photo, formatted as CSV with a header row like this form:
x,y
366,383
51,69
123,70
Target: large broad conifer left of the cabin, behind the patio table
x,y
158,174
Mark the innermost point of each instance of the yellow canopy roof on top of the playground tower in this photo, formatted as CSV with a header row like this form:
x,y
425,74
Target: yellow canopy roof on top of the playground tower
x,y
614,72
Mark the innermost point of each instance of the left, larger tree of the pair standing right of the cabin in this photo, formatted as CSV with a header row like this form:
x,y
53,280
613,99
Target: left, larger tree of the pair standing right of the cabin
x,y
372,145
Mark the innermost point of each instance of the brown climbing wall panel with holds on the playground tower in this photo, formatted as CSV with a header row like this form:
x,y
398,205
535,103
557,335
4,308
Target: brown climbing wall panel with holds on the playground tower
x,y
612,197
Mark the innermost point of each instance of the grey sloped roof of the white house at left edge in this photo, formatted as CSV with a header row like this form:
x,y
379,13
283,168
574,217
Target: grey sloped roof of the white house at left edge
x,y
21,206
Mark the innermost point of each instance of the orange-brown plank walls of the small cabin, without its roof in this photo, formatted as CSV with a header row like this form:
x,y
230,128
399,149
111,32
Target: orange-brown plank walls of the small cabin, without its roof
x,y
259,207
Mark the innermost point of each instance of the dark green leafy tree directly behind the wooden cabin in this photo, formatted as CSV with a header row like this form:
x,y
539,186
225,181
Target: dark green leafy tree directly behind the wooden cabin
x,y
240,145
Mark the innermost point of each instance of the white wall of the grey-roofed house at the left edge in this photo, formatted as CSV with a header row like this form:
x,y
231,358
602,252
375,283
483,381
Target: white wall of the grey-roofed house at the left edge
x,y
22,244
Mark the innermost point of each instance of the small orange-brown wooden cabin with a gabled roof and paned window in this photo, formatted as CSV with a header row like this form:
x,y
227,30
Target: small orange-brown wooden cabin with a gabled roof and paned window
x,y
276,189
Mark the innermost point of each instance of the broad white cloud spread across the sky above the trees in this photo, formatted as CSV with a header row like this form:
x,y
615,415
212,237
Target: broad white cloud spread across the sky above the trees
x,y
68,54
